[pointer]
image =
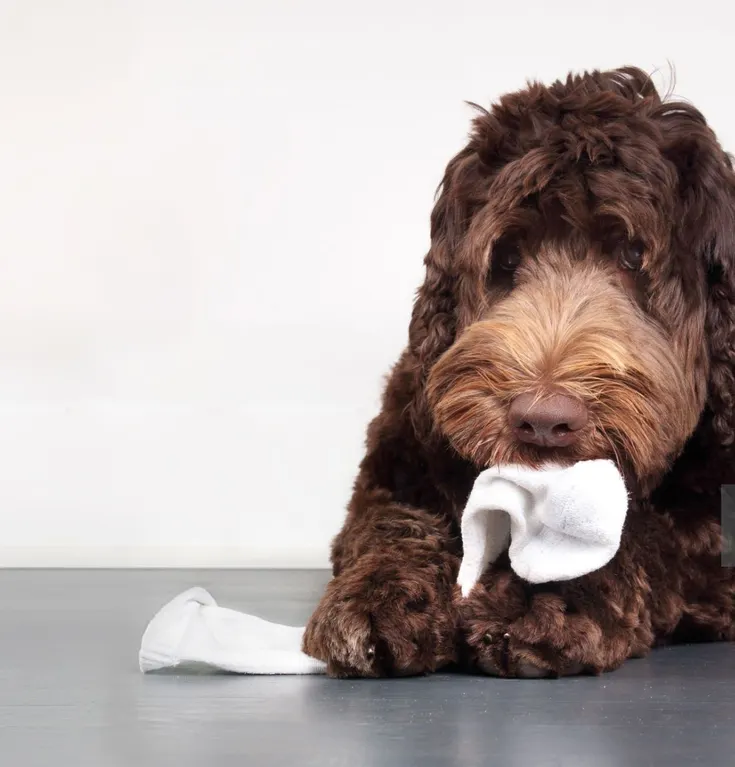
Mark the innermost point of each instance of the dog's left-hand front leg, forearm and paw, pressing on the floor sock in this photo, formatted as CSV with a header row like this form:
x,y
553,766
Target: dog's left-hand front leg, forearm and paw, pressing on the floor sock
x,y
389,609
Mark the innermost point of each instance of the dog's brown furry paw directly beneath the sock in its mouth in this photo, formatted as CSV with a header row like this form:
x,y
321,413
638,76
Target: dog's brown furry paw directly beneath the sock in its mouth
x,y
510,631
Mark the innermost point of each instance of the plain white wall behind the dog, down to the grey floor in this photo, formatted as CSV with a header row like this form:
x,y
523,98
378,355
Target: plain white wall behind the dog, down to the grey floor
x,y
212,223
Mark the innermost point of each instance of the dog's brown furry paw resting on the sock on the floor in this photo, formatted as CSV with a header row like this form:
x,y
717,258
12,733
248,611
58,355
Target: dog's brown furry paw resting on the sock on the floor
x,y
379,619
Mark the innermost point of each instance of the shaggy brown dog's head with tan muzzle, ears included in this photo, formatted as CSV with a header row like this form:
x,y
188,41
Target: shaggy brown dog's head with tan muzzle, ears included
x,y
579,299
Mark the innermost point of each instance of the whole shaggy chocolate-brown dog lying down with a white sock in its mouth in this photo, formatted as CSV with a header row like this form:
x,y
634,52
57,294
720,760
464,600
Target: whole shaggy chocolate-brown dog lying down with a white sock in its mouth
x,y
578,303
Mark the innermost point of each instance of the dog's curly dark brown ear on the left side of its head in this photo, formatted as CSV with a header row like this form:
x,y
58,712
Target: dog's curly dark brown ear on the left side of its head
x,y
434,320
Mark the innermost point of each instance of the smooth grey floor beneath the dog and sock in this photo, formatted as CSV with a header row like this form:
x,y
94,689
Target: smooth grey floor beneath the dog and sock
x,y
71,694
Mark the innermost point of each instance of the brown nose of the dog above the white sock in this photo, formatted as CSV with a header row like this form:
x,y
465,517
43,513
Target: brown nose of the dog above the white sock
x,y
553,421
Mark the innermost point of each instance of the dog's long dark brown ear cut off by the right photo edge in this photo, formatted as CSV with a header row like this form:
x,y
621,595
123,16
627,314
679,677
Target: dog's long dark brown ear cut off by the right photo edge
x,y
707,216
